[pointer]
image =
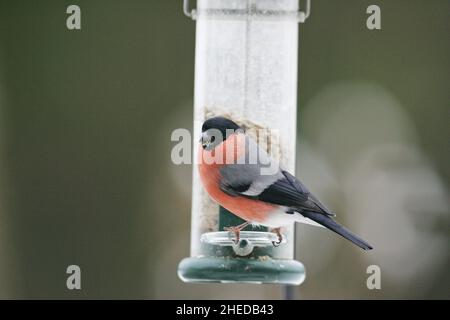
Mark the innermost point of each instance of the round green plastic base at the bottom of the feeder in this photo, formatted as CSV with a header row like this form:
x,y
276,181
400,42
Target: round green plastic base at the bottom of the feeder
x,y
241,270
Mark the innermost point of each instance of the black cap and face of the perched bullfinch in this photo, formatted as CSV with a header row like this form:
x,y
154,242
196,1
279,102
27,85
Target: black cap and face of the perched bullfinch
x,y
217,129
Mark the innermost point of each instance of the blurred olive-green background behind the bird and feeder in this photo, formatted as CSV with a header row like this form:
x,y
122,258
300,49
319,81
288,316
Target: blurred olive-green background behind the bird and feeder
x,y
86,176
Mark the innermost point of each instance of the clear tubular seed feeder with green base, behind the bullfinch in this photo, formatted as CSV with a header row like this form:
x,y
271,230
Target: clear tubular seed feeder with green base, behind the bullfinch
x,y
246,70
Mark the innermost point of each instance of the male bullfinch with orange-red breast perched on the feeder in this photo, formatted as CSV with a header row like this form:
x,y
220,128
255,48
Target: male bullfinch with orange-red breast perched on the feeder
x,y
240,182
